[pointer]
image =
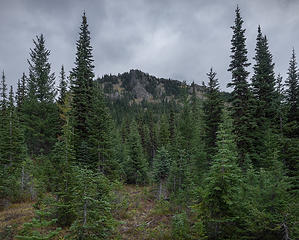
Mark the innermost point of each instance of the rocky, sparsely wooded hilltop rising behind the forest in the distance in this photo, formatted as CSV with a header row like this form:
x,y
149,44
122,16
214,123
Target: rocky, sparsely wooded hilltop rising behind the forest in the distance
x,y
138,86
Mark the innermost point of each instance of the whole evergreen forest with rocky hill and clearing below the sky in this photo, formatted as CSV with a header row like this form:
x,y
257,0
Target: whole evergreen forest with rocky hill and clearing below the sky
x,y
89,161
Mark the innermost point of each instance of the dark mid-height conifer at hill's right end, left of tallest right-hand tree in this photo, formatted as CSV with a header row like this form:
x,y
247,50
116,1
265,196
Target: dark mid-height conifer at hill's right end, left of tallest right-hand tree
x,y
213,110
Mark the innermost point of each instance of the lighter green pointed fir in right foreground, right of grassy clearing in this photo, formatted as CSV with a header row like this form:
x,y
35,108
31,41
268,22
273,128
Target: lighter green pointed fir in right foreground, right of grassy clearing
x,y
220,203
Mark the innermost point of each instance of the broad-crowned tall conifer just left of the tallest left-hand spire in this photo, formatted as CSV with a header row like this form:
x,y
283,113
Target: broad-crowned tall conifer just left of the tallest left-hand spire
x,y
40,113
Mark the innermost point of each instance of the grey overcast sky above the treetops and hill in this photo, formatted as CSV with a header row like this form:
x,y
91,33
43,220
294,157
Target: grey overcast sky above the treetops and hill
x,y
178,39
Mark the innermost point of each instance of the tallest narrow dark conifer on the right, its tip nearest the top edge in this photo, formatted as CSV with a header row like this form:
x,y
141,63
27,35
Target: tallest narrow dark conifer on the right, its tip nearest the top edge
x,y
241,93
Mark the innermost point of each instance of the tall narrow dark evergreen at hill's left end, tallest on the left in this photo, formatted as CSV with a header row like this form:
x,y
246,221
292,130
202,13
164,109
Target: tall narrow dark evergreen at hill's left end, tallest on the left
x,y
81,88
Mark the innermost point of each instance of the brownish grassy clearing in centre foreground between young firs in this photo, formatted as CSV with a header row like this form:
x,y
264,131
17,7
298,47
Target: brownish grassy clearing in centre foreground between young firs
x,y
142,216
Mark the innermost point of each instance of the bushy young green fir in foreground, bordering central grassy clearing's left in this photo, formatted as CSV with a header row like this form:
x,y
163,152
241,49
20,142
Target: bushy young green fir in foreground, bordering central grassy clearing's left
x,y
92,205
